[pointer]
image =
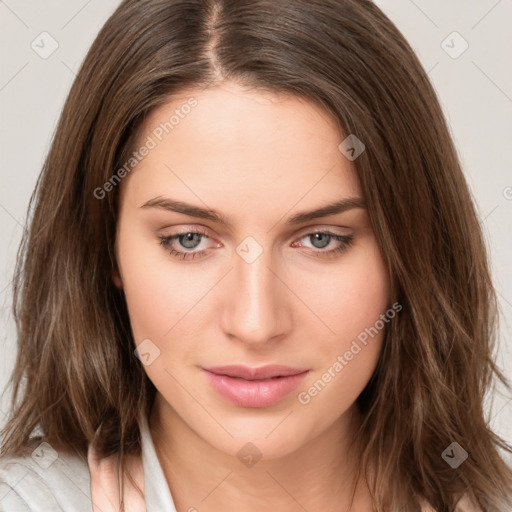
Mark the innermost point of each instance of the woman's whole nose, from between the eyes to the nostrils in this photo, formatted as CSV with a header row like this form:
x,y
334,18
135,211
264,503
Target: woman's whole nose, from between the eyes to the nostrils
x,y
256,307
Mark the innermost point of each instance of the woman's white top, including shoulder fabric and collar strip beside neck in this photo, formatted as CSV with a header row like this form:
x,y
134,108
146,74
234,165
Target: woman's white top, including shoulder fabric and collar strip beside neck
x,y
59,482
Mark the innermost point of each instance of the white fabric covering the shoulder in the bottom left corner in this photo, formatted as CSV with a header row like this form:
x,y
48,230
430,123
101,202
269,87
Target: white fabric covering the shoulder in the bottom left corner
x,y
44,480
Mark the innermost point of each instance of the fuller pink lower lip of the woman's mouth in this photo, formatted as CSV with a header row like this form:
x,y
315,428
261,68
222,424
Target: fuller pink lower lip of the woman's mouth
x,y
254,393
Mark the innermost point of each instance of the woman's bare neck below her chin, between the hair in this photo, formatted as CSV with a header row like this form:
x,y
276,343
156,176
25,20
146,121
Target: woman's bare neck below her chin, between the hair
x,y
320,475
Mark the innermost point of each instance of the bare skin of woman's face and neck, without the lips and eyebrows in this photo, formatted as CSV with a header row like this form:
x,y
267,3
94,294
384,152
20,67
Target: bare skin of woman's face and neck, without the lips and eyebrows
x,y
257,159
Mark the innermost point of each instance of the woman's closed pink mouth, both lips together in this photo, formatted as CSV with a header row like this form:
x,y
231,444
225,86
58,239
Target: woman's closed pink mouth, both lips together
x,y
254,387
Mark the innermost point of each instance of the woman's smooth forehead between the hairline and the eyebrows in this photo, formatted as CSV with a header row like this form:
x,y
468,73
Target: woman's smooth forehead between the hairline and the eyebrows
x,y
228,144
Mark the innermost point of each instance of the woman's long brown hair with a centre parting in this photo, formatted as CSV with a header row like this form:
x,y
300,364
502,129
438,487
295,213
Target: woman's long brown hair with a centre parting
x,y
76,375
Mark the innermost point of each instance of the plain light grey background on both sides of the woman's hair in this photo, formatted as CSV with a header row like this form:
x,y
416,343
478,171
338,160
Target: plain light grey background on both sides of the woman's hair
x,y
474,87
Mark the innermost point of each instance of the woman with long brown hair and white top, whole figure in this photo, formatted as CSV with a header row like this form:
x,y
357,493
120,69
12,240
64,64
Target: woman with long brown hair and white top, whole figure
x,y
254,276
